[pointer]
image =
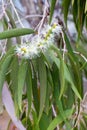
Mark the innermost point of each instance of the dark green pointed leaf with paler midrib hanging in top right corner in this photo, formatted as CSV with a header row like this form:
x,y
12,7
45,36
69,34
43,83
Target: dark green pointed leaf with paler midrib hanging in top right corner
x,y
79,15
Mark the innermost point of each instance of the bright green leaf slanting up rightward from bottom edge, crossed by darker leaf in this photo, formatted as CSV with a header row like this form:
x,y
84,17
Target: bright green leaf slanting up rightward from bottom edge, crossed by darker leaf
x,y
57,120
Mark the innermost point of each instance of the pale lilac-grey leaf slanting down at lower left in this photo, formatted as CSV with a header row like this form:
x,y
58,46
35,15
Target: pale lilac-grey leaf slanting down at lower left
x,y
9,105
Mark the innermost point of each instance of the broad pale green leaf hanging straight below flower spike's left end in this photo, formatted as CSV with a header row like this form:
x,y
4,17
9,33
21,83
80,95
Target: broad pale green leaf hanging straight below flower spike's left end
x,y
21,81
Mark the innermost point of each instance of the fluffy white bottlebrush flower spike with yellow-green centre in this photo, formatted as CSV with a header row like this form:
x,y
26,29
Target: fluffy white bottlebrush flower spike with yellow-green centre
x,y
39,44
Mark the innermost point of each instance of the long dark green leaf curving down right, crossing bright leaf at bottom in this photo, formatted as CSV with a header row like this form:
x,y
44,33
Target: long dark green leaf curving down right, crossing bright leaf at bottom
x,y
58,101
